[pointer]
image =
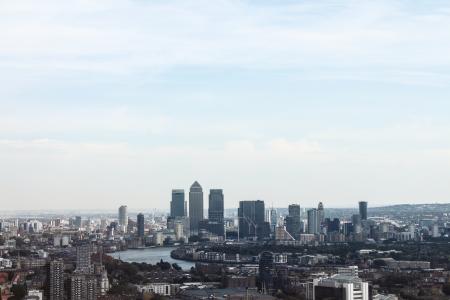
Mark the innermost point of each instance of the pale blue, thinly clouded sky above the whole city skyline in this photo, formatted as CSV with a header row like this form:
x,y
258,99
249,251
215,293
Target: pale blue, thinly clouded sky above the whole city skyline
x,y
104,103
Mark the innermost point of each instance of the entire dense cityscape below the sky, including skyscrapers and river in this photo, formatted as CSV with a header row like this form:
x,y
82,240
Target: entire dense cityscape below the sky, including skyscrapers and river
x,y
252,252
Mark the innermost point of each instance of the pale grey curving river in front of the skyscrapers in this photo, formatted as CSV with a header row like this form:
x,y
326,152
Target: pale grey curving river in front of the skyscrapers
x,y
151,256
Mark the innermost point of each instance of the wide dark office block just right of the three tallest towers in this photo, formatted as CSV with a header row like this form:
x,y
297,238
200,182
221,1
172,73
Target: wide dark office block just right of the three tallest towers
x,y
251,219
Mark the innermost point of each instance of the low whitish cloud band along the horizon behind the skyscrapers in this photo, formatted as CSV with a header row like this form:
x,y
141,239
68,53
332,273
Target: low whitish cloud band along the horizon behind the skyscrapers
x,y
281,170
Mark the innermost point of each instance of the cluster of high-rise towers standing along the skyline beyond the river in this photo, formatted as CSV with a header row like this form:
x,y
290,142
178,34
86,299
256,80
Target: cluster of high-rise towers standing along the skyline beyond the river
x,y
187,218
